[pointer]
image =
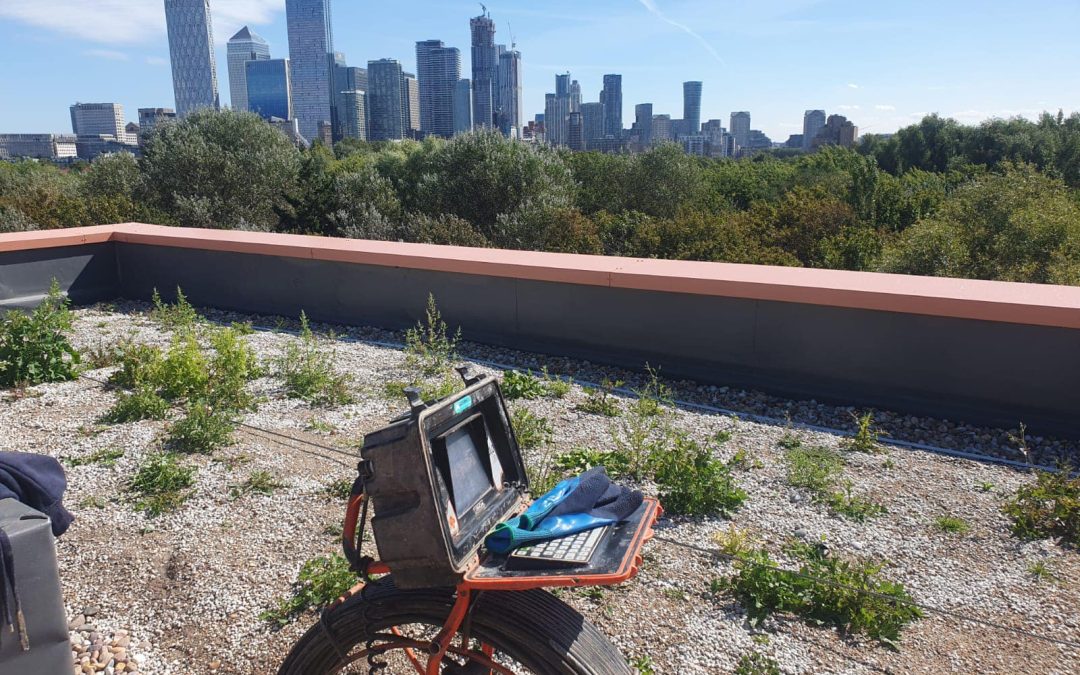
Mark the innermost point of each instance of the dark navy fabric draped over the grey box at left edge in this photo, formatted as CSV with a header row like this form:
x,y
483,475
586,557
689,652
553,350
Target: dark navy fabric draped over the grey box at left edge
x,y
38,482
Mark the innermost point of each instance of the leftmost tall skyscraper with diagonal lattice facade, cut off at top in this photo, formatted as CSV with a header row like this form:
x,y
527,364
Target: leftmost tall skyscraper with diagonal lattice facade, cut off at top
x,y
192,53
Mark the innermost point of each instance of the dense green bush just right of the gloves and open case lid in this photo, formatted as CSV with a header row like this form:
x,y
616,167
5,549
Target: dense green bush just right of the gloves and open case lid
x,y
693,482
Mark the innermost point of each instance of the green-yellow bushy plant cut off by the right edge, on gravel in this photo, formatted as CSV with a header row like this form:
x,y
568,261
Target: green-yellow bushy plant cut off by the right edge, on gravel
x,y
1048,508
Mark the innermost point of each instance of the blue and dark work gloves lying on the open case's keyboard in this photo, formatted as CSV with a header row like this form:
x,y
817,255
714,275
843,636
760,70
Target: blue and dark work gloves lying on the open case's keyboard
x,y
575,505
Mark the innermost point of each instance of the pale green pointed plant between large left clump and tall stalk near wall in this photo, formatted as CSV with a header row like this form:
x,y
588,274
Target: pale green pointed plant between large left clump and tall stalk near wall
x,y
309,374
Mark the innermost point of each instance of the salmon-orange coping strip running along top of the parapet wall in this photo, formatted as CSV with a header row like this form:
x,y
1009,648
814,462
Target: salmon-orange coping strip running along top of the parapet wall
x,y
962,299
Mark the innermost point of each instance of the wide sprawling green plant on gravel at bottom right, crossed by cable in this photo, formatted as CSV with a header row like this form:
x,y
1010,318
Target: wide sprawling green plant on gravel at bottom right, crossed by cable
x,y
849,595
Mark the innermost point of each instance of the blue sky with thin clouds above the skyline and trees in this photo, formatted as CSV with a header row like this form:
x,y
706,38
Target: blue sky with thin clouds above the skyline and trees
x,y
882,64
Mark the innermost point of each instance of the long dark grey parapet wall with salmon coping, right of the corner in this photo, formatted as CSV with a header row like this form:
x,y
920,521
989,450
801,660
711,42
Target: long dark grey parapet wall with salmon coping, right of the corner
x,y
989,354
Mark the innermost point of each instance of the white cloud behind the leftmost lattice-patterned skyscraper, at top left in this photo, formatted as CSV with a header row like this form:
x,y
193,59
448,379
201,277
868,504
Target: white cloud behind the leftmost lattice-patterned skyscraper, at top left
x,y
131,22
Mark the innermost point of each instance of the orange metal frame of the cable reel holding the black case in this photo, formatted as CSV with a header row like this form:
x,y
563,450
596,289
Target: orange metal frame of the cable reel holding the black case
x,y
442,643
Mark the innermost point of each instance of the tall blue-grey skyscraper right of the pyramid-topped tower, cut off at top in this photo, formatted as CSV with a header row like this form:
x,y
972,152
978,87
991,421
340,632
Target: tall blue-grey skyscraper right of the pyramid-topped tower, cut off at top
x,y
312,59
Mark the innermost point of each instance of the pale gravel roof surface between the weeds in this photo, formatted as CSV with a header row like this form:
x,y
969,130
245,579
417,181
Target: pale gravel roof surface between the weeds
x,y
185,589
